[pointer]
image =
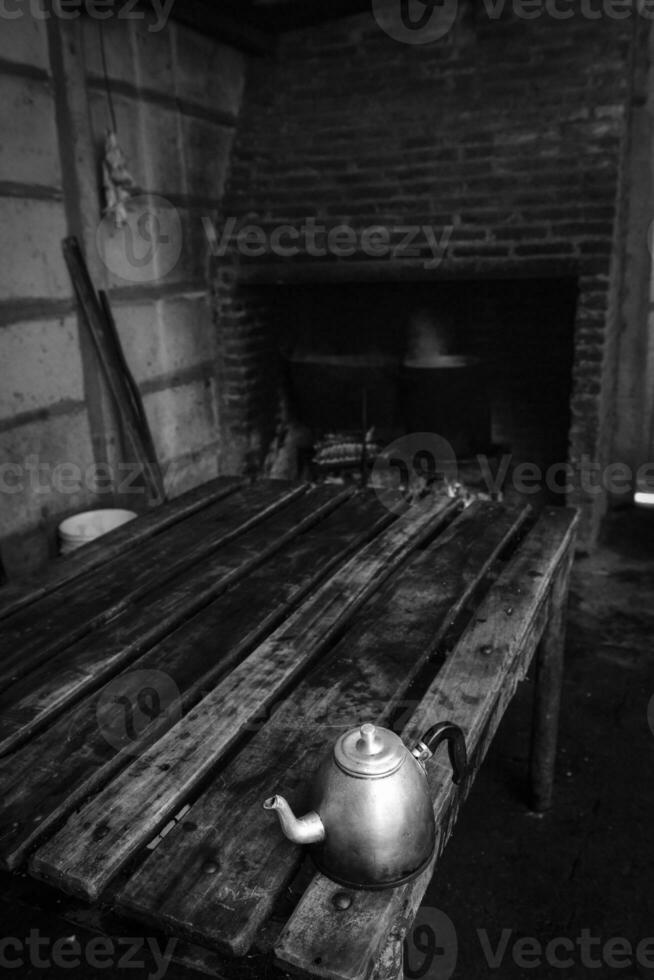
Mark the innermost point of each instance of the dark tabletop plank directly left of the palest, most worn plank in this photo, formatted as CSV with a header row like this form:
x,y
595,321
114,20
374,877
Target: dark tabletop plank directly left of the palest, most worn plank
x,y
55,771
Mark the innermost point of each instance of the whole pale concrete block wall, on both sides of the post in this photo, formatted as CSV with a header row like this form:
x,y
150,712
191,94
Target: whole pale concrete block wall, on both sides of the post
x,y
177,96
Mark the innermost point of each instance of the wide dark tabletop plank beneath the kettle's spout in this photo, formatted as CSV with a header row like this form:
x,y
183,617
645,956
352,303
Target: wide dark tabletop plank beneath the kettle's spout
x,y
365,677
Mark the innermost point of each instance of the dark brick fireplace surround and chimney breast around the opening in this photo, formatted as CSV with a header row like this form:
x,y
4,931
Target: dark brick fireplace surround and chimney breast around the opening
x,y
506,138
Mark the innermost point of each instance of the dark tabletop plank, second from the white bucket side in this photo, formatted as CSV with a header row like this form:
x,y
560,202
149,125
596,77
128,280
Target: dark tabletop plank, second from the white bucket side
x,y
33,635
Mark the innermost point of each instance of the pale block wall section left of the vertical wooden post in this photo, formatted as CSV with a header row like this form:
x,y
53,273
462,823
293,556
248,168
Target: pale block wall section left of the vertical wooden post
x,y
43,418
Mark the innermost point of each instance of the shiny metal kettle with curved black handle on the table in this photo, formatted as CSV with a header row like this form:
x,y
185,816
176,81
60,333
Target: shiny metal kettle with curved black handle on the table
x,y
372,823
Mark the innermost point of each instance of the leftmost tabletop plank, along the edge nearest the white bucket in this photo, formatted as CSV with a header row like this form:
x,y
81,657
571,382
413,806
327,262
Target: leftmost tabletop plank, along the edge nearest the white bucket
x,y
126,538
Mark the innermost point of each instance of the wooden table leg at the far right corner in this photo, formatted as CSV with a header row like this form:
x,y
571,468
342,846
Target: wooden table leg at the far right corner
x,y
549,679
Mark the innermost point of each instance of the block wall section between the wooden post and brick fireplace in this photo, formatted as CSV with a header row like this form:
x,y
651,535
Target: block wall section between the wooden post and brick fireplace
x,y
176,96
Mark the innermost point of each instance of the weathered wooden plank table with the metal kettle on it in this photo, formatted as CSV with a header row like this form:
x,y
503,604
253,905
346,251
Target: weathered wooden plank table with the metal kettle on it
x,y
159,684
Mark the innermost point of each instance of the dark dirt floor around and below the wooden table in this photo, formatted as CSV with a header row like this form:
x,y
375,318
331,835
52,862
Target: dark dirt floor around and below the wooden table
x,y
565,895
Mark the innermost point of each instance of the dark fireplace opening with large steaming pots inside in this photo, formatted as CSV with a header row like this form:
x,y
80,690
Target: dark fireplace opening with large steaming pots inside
x,y
484,363
